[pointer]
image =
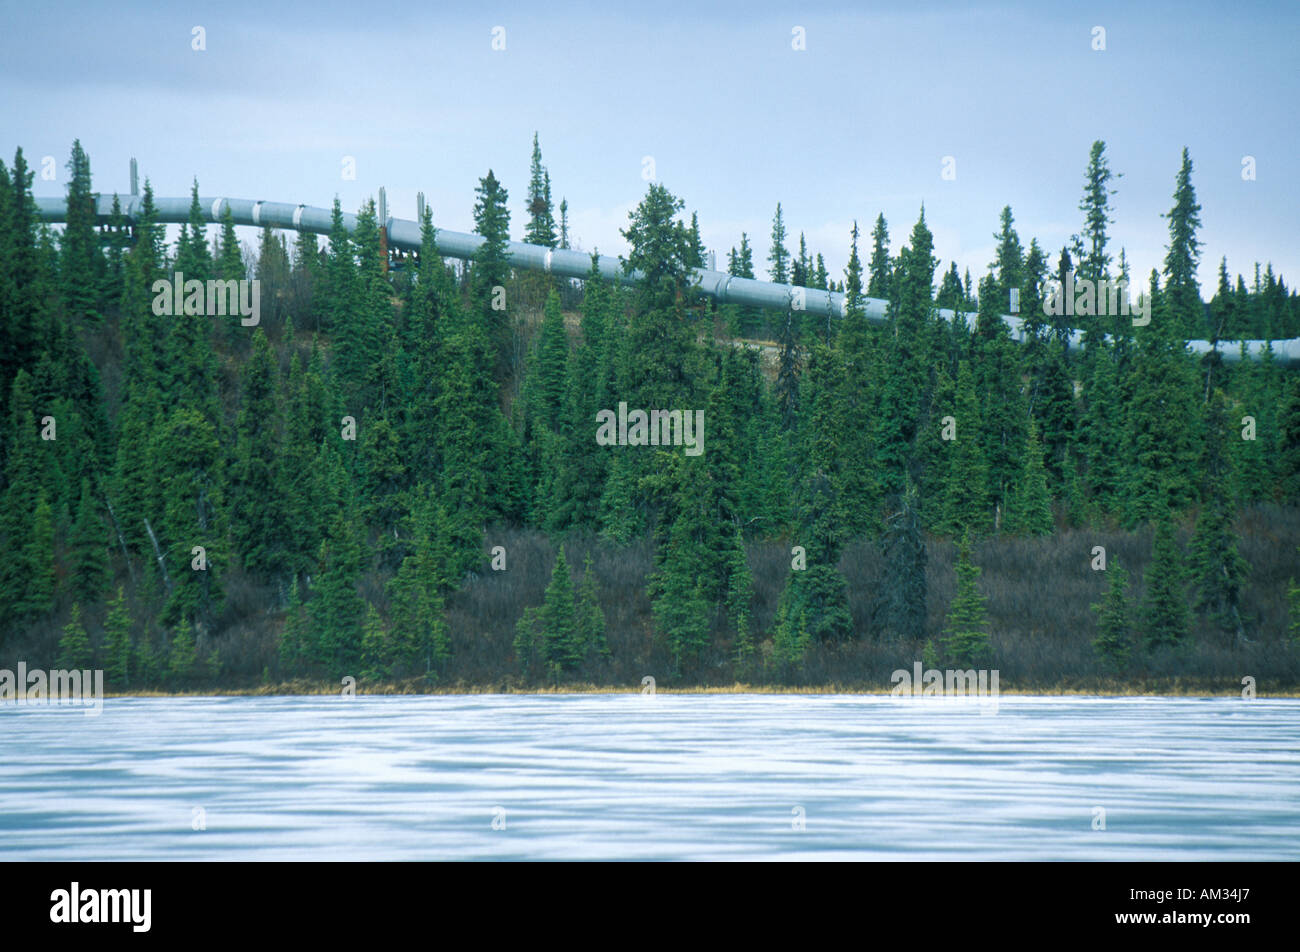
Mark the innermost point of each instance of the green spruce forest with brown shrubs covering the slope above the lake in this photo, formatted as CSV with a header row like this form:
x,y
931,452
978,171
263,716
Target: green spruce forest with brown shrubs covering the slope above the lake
x,y
396,473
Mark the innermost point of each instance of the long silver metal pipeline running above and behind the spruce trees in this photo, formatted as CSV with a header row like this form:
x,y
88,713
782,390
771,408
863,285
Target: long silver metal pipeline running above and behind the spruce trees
x,y
405,235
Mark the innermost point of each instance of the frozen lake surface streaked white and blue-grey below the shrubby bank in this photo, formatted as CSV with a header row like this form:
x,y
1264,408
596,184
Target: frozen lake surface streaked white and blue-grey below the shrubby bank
x,y
666,777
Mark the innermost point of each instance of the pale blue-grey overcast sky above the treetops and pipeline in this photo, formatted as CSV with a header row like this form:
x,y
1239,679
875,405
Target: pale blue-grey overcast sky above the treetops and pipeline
x,y
734,118
